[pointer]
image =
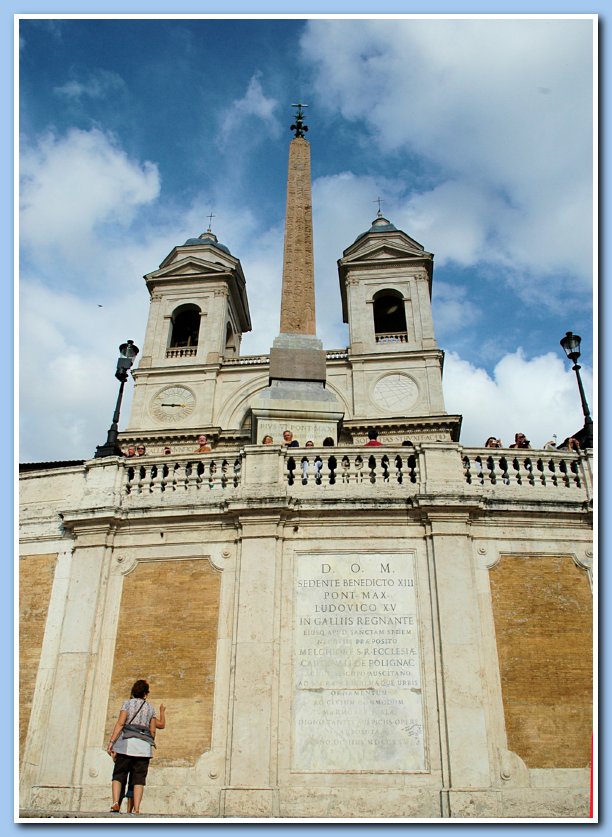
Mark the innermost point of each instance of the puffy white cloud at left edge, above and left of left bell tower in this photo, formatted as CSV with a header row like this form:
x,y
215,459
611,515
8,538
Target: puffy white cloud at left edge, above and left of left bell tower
x,y
74,185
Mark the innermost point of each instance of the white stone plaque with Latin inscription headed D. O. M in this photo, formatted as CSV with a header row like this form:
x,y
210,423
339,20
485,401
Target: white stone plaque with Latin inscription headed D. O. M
x,y
357,700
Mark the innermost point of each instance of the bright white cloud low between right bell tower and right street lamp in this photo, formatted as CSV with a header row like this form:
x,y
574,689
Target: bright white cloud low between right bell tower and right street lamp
x,y
536,396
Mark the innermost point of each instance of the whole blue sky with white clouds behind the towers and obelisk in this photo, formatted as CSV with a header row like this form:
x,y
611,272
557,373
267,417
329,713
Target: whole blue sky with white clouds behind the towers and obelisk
x,y
477,135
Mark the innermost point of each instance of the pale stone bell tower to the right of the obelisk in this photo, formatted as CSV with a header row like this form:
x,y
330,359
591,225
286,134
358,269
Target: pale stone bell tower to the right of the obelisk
x,y
385,284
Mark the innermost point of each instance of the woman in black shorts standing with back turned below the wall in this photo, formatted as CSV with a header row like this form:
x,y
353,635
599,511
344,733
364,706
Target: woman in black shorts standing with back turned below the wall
x,y
131,742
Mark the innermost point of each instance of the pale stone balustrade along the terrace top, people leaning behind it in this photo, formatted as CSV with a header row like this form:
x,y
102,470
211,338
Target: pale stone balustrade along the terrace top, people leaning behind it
x,y
428,468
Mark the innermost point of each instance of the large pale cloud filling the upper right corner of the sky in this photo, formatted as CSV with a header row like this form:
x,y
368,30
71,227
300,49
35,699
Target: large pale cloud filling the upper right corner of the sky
x,y
504,105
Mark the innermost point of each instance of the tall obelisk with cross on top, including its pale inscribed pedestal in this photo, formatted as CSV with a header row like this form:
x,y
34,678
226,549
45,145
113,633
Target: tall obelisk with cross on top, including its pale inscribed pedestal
x,y
296,397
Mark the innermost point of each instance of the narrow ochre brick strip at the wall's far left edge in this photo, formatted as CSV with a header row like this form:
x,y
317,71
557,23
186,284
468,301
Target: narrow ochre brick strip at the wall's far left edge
x,y
36,574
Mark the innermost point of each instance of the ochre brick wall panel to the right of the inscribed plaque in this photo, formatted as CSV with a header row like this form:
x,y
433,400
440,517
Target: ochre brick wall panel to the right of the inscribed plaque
x,y
543,623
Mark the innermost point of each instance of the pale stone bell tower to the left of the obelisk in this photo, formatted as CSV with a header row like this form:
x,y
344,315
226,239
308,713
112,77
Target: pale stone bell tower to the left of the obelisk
x,y
198,314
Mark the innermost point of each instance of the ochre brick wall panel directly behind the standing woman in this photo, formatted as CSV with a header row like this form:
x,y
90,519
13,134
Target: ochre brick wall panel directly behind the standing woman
x,y
167,634
